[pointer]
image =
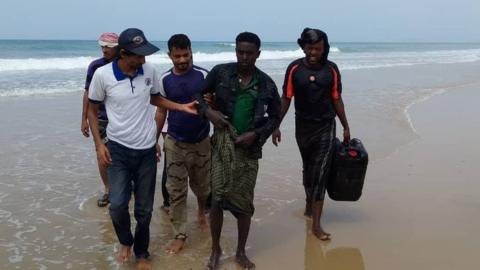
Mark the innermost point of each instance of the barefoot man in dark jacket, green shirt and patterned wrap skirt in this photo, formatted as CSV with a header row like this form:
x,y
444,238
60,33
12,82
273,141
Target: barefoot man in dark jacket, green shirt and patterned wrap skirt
x,y
248,107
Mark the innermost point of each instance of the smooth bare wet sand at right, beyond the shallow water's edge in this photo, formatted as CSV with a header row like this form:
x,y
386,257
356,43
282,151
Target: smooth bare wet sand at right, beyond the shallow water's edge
x,y
419,209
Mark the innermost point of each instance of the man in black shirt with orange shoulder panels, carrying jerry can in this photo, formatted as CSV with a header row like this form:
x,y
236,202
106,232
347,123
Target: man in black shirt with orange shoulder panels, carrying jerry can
x,y
316,84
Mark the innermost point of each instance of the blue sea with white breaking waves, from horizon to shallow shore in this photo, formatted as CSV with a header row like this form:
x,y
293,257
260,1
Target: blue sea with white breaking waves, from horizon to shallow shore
x,y
34,67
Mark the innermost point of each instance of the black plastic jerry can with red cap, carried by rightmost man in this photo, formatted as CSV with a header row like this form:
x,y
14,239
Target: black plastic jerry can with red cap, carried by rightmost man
x,y
347,175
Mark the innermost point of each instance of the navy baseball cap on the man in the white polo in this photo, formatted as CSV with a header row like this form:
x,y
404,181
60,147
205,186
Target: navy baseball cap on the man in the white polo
x,y
133,40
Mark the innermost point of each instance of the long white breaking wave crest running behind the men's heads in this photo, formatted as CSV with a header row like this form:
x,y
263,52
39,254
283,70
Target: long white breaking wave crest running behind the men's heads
x,y
355,60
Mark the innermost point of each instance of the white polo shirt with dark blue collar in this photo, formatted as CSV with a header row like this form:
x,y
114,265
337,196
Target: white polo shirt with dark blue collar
x,y
127,101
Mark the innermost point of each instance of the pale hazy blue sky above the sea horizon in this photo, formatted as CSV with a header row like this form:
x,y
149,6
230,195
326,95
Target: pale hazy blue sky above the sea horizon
x,y
221,20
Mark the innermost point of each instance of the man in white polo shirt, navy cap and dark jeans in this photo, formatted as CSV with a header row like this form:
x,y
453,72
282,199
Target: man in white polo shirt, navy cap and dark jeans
x,y
128,86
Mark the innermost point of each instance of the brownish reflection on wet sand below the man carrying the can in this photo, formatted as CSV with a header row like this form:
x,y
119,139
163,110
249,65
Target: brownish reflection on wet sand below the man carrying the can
x,y
319,256
